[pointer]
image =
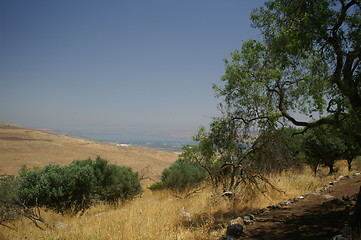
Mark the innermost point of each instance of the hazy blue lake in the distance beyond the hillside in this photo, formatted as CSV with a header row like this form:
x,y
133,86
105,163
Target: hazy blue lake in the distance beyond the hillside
x,y
151,141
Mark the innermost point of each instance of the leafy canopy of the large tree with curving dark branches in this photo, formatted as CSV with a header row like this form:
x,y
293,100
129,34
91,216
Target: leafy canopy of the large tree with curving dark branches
x,y
307,62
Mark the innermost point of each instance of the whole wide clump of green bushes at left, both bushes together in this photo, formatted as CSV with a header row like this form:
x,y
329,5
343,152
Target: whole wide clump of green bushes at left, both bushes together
x,y
72,188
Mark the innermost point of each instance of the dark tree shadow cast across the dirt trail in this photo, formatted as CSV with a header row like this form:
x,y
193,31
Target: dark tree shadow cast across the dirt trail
x,y
317,223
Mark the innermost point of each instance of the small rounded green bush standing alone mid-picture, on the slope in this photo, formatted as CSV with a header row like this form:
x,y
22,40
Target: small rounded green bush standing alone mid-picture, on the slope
x,y
181,175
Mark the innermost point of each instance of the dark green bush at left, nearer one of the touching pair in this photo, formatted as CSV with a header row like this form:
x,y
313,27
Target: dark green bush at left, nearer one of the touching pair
x,y
58,188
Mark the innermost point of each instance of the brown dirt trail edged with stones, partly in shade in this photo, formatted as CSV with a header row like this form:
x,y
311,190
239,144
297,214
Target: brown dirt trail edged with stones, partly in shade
x,y
317,216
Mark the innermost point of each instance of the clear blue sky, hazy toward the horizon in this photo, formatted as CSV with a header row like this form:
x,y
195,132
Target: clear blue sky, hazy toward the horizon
x,y
142,67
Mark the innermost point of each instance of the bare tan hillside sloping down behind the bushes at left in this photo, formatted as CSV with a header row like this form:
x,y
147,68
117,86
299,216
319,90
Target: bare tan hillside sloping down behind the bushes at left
x,y
23,146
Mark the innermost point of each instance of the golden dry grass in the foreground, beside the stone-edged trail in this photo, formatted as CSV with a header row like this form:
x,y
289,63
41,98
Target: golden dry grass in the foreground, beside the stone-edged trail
x,y
156,215
